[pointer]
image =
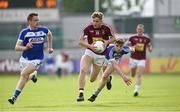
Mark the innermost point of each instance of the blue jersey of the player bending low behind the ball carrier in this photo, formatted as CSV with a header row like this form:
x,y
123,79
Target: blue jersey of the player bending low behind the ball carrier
x,y
112,54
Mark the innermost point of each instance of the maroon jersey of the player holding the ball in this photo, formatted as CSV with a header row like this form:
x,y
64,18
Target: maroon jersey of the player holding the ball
x,y
99,34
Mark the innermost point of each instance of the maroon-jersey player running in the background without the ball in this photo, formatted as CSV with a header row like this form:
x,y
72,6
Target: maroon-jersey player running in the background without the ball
x,y
138,58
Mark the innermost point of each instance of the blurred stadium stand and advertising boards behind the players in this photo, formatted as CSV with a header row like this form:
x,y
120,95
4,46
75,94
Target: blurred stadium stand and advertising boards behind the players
x,y
66,19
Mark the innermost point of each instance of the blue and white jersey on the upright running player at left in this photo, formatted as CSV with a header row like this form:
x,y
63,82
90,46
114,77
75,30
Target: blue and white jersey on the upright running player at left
x,y
37,37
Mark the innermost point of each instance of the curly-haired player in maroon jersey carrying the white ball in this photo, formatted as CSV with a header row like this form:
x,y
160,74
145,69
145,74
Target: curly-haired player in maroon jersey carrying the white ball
x,y
96,31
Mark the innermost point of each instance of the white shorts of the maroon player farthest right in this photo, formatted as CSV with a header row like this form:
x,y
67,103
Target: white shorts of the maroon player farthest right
x,y
134,63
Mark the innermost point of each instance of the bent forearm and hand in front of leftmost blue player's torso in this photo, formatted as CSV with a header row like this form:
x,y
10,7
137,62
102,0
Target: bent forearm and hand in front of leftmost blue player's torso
x,y
20,47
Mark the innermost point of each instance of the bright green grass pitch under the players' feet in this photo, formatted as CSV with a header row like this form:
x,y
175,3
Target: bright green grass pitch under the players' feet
x,y
159,92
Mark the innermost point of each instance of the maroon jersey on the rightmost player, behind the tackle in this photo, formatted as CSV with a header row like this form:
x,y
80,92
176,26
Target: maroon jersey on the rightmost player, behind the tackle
x,y
141,43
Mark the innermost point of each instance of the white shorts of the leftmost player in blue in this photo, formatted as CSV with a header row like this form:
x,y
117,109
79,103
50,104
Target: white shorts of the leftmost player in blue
x,y
24,62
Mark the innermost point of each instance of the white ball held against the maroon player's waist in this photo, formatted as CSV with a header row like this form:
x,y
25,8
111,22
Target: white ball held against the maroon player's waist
x,y
99,46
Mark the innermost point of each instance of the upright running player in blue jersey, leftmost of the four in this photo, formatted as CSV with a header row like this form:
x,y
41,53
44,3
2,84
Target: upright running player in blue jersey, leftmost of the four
x,y
30,42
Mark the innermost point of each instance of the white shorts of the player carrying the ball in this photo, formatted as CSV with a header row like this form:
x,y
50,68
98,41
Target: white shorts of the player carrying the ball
x,y
97,59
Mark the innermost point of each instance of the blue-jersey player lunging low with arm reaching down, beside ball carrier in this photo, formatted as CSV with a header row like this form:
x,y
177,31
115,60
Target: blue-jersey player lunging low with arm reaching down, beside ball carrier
x,y
113,56
